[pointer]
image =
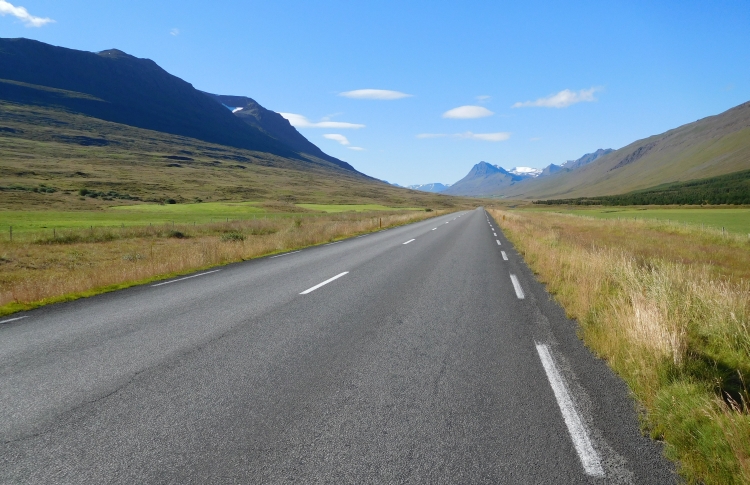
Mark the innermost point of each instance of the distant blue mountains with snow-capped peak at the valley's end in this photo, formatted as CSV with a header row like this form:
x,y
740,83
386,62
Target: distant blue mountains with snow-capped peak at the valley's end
x,y
486,180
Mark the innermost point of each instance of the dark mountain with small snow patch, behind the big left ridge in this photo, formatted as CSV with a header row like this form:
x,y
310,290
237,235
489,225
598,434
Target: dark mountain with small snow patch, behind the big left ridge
x,y
274,125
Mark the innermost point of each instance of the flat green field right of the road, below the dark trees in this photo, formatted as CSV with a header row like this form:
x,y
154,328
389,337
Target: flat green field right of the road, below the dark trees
x,y
733,220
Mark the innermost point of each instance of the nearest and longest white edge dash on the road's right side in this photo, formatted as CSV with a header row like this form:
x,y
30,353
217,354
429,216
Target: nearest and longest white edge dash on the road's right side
x,y
586,452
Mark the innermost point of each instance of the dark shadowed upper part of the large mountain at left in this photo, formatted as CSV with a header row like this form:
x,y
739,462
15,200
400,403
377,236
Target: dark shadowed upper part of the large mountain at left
x,y
114,86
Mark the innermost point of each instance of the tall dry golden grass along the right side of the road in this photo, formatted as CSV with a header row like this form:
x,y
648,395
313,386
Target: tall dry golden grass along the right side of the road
x,y
669,308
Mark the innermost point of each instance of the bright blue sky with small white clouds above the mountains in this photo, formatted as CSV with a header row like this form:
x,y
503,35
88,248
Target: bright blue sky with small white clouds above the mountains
x,y
551,80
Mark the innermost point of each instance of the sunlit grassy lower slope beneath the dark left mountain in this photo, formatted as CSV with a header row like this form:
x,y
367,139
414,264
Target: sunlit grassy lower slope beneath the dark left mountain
x,y
44,148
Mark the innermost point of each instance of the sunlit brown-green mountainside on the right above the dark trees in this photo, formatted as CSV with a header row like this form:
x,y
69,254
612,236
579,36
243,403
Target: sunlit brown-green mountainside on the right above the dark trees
x,y
710,147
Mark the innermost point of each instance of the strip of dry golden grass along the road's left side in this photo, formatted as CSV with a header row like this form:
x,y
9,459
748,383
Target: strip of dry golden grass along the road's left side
x,y
82,262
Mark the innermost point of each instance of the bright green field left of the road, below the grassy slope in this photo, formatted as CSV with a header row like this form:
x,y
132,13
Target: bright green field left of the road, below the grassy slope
x,y
155,214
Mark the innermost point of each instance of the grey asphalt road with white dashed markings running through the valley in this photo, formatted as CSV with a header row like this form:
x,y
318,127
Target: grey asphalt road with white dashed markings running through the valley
x,y
425,353
